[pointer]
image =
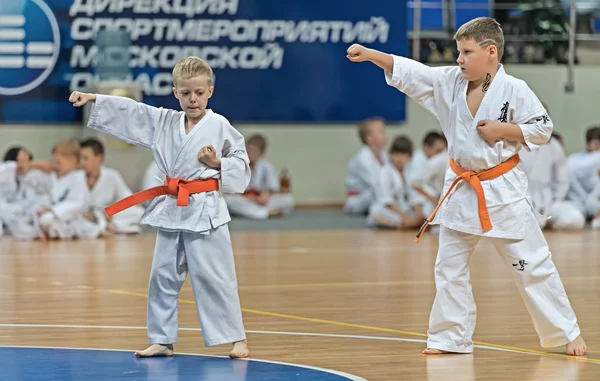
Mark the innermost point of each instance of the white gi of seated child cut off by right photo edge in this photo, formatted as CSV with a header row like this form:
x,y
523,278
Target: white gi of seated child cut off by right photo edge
x,y
583,170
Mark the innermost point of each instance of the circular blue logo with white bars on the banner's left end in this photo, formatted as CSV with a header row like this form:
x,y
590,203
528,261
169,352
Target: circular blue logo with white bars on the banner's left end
x,y
29,45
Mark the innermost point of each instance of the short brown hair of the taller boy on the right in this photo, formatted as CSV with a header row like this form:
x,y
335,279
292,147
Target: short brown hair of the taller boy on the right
x,y
485,31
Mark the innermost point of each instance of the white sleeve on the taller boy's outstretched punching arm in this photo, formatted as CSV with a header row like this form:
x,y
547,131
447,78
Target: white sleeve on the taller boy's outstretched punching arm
x,y
430,87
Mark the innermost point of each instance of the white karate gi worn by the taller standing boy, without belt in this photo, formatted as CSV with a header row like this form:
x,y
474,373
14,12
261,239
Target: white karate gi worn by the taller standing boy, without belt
x,y
515,233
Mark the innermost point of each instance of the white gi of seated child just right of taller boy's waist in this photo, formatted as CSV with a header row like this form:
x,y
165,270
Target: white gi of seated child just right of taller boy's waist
x,y
548,178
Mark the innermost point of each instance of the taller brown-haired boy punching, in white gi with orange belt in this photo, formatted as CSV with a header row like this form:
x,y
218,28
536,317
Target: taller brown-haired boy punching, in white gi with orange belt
x,y
487,117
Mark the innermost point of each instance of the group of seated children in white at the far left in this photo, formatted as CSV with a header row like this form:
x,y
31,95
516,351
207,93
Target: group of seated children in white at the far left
x,y
65,197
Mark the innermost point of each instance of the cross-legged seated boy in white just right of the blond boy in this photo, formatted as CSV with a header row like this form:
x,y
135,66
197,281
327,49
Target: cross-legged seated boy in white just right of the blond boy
x,y
261,199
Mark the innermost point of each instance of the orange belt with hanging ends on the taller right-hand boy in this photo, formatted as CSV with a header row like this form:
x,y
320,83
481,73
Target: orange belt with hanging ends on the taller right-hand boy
x,y
474,178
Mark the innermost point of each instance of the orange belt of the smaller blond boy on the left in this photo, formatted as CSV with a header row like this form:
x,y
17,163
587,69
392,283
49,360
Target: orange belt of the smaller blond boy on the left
x,y
176,187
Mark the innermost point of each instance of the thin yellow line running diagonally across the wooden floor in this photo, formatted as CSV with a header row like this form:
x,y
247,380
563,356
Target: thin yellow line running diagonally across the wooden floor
x,y
480,344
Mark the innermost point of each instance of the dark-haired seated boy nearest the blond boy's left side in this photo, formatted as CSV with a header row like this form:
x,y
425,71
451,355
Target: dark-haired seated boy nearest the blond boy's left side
x,y
107,186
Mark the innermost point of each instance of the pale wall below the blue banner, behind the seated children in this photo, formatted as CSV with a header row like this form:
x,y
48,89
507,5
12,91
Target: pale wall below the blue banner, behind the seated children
x,y
317,155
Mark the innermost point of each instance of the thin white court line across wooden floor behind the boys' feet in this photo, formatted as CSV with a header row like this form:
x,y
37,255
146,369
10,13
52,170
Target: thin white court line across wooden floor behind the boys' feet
x,y
285,333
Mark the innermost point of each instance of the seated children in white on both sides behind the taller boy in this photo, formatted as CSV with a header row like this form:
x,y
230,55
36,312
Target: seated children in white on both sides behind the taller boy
x,y
398,188
